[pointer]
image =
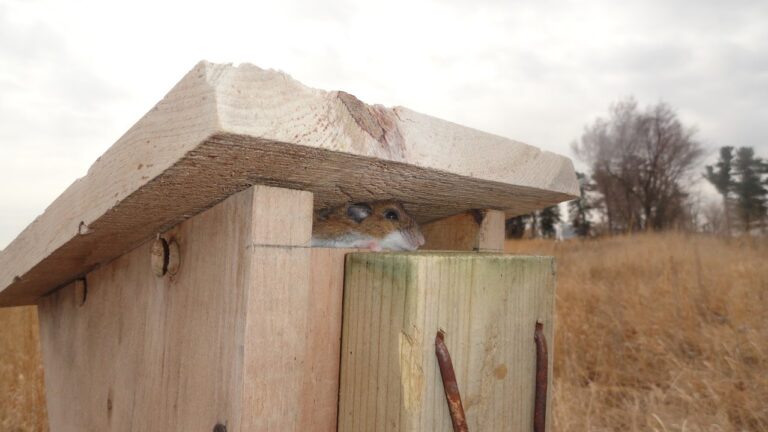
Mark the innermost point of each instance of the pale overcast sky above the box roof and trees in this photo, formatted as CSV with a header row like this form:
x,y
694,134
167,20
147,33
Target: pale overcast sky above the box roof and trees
x,y
75,75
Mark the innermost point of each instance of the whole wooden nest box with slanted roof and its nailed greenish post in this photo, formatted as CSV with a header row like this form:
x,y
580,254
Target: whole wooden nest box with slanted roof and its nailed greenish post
x,y
177,290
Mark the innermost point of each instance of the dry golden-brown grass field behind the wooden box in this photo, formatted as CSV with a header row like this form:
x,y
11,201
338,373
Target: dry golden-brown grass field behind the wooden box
x,y
665,332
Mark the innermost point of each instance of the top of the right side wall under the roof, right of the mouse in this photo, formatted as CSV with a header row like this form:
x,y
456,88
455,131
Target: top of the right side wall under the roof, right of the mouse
x,y
475,230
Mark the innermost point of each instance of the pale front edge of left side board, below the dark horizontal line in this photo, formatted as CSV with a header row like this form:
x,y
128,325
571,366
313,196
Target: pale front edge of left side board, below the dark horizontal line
x,y
275,337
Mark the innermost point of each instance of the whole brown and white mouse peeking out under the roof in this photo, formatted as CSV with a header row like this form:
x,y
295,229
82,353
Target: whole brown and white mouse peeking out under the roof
x,y
377,225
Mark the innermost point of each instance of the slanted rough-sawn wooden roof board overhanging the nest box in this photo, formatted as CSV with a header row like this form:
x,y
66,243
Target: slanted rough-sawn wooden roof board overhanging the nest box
x,y
222,129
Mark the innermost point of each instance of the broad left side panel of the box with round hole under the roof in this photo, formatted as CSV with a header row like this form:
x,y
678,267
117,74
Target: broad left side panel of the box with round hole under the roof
x,y
149,353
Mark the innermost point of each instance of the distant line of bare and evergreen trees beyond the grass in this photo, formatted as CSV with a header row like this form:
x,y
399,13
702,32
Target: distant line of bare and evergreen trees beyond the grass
x,y
642,164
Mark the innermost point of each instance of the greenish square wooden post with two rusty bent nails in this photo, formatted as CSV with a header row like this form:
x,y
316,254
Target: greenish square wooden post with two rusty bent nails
x,y
488,305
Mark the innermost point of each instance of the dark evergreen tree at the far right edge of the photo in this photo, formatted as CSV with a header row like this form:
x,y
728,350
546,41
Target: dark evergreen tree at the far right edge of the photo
x,y
749,189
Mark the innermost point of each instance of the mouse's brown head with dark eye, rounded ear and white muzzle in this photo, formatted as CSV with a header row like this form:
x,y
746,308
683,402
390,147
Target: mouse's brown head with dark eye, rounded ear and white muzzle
x,y
387,222
